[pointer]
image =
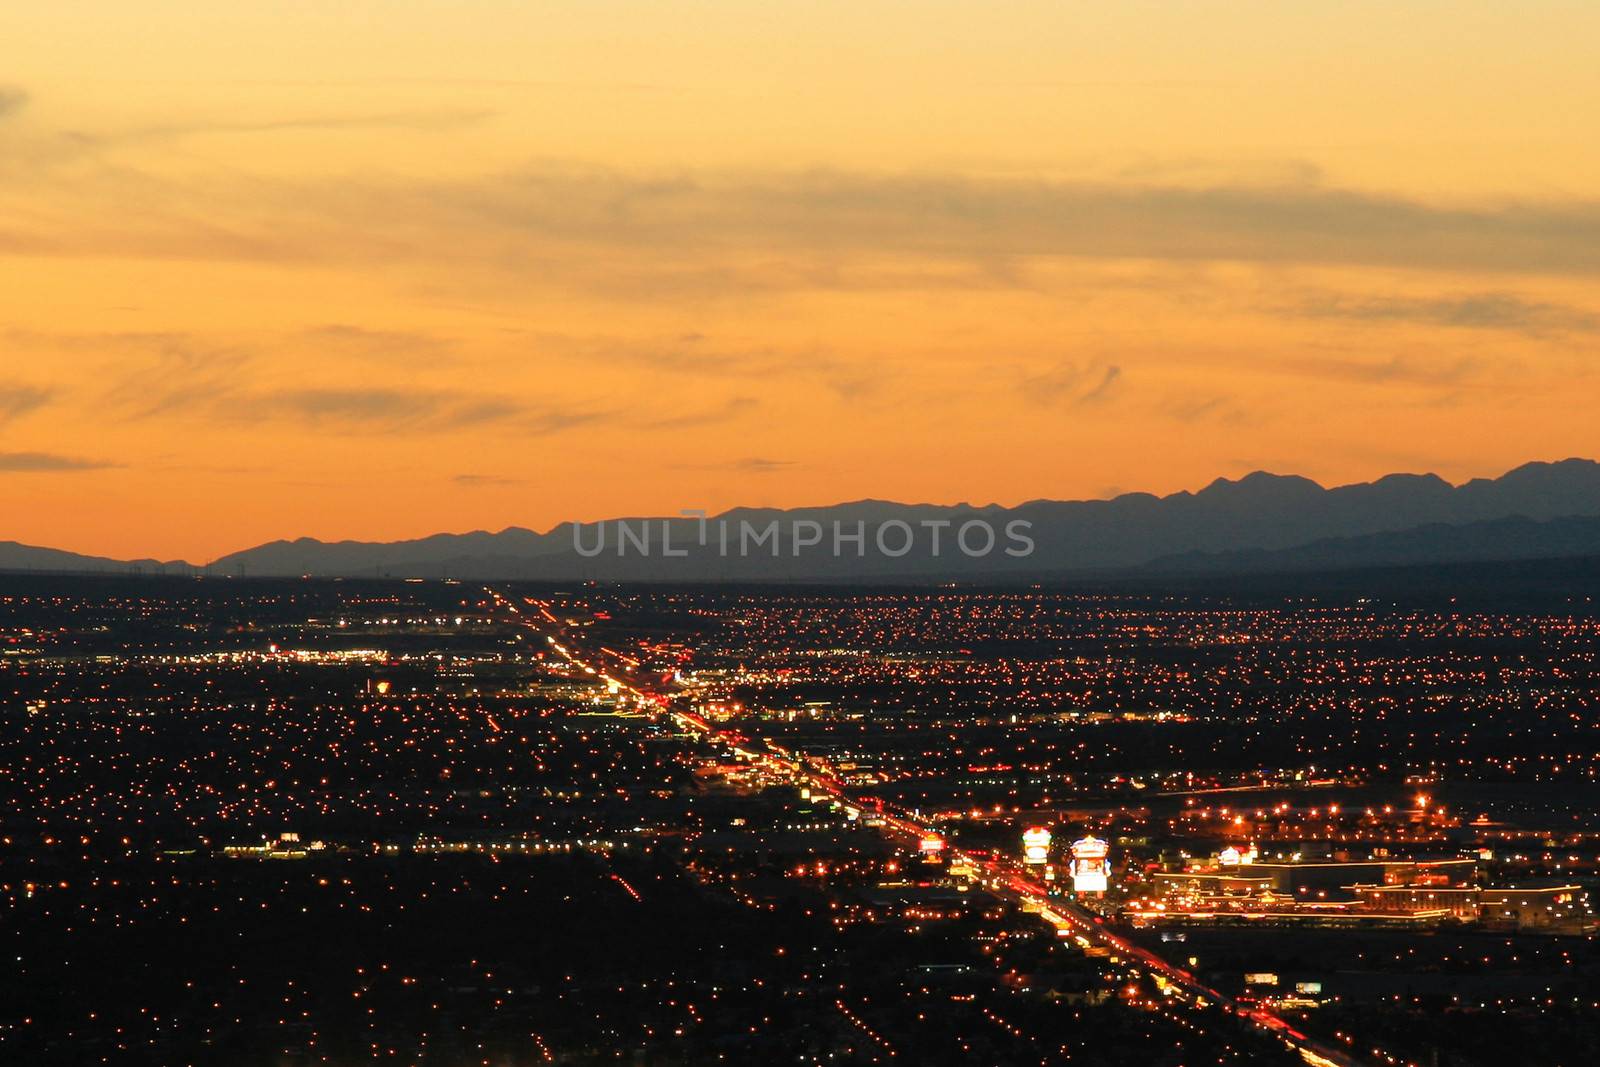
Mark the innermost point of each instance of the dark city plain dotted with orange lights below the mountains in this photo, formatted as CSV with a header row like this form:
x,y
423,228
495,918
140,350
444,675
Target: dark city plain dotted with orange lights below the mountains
x,y
321,821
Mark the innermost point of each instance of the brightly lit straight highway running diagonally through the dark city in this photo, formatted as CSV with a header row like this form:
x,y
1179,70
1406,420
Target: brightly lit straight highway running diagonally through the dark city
x,y
1001,876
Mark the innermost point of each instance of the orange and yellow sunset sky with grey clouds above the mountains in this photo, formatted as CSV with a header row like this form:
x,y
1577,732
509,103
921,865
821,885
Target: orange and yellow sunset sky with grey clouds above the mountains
x,y
385,268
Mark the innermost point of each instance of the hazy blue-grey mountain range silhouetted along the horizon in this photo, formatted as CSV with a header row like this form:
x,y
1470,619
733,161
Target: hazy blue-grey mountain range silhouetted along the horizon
x,y
1257,524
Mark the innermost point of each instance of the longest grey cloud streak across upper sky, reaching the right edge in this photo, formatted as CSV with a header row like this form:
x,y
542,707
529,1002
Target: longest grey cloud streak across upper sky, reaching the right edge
x,y
942,215
